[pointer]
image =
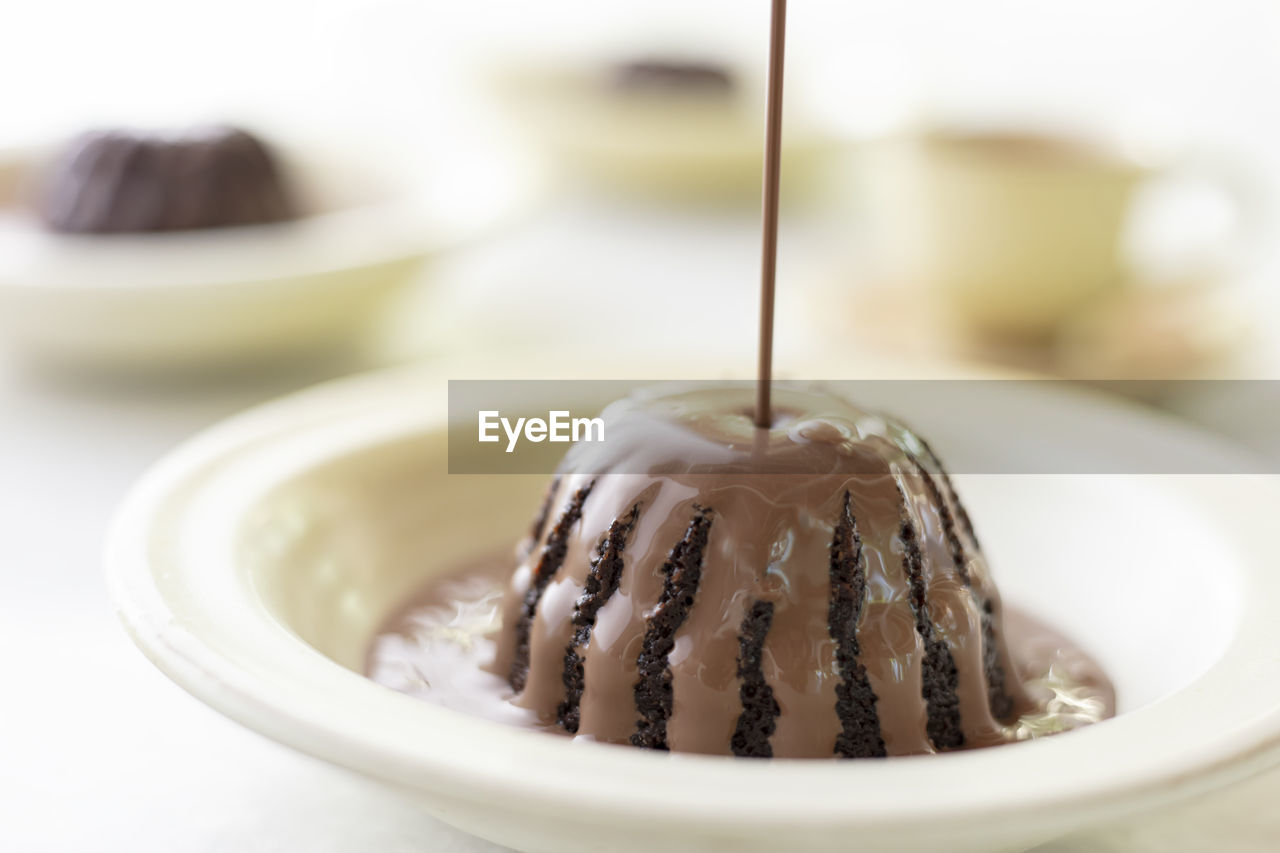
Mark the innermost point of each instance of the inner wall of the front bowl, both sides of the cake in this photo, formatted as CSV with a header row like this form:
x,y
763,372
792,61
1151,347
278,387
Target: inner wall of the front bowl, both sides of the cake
x,y
1124,565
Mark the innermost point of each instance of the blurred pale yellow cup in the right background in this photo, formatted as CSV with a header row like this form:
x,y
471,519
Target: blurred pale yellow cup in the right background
x,y
1012,231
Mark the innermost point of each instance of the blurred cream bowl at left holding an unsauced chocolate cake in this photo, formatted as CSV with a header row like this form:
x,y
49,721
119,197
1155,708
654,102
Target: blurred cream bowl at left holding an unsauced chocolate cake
x,y
237,295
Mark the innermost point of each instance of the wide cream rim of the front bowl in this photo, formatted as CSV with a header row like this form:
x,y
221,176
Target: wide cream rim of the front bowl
x,y
1227,724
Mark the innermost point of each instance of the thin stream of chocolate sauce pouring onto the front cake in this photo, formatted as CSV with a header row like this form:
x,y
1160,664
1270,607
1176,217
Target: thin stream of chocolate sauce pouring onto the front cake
x,y
770,243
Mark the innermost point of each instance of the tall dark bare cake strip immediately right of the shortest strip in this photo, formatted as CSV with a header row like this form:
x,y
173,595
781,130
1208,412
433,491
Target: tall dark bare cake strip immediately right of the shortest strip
x,y
856,705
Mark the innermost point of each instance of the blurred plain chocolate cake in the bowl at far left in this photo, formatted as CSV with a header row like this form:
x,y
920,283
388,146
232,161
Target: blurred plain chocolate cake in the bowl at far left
x,y
122,183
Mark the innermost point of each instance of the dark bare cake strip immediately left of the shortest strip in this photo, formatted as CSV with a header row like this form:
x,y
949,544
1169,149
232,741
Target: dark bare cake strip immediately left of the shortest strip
x,y
682,574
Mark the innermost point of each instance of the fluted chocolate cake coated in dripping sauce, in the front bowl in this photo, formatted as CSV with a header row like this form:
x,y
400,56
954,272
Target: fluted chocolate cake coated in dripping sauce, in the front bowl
x,y
810,591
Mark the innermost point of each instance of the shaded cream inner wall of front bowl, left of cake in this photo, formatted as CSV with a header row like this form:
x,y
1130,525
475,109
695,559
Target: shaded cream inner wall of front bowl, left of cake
x,y
336,551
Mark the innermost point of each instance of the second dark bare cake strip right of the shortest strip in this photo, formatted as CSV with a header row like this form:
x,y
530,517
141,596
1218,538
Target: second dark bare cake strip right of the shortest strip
x,y
941,678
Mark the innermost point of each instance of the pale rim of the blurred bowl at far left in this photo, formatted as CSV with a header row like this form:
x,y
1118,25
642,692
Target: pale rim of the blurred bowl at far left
x,y
406,218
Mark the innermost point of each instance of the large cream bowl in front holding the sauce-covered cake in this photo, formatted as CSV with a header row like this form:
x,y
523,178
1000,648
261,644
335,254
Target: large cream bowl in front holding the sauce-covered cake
x,y
255,564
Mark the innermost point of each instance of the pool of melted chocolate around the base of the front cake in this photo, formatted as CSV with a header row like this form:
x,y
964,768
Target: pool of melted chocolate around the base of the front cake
x,y
441,647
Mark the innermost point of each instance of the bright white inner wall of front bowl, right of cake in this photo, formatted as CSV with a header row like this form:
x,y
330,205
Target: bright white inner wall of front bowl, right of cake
x,y
1124,565
